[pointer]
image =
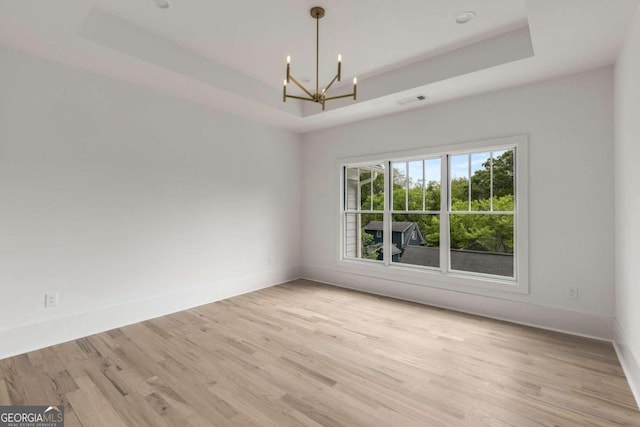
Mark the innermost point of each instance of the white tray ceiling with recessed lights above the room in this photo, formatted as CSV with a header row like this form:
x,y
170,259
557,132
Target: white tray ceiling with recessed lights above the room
x,y
230,55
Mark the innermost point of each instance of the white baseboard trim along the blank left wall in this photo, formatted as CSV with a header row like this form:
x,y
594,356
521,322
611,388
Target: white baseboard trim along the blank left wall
x,y
24,338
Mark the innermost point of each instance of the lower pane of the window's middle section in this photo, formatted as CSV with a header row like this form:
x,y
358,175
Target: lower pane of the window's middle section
x,y
416,239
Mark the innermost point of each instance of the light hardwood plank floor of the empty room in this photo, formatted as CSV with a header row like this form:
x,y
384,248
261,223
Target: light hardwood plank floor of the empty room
x,y
304,354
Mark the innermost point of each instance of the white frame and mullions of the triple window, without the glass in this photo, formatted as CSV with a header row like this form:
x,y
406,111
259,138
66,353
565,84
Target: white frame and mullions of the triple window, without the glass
x,y
442,277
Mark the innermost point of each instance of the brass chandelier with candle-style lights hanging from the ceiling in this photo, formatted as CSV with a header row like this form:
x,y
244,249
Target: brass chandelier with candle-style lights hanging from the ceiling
x,y
319,96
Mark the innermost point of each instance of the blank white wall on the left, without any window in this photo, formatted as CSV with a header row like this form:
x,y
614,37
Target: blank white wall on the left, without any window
x,y
132,204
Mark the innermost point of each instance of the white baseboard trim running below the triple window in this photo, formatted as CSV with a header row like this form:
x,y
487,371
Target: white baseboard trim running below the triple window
x,y
550,318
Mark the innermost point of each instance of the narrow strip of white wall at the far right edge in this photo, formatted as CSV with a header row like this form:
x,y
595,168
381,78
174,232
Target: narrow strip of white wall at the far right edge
x,y
627,204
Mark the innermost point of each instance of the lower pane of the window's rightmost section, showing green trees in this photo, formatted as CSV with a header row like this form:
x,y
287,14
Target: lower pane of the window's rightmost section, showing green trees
x,y
482,243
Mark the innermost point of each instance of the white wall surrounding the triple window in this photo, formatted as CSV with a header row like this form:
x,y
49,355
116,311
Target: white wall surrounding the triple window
x,y
569,122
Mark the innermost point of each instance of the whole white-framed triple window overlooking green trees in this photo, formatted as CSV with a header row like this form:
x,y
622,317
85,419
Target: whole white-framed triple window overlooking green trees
x,y
456,212
